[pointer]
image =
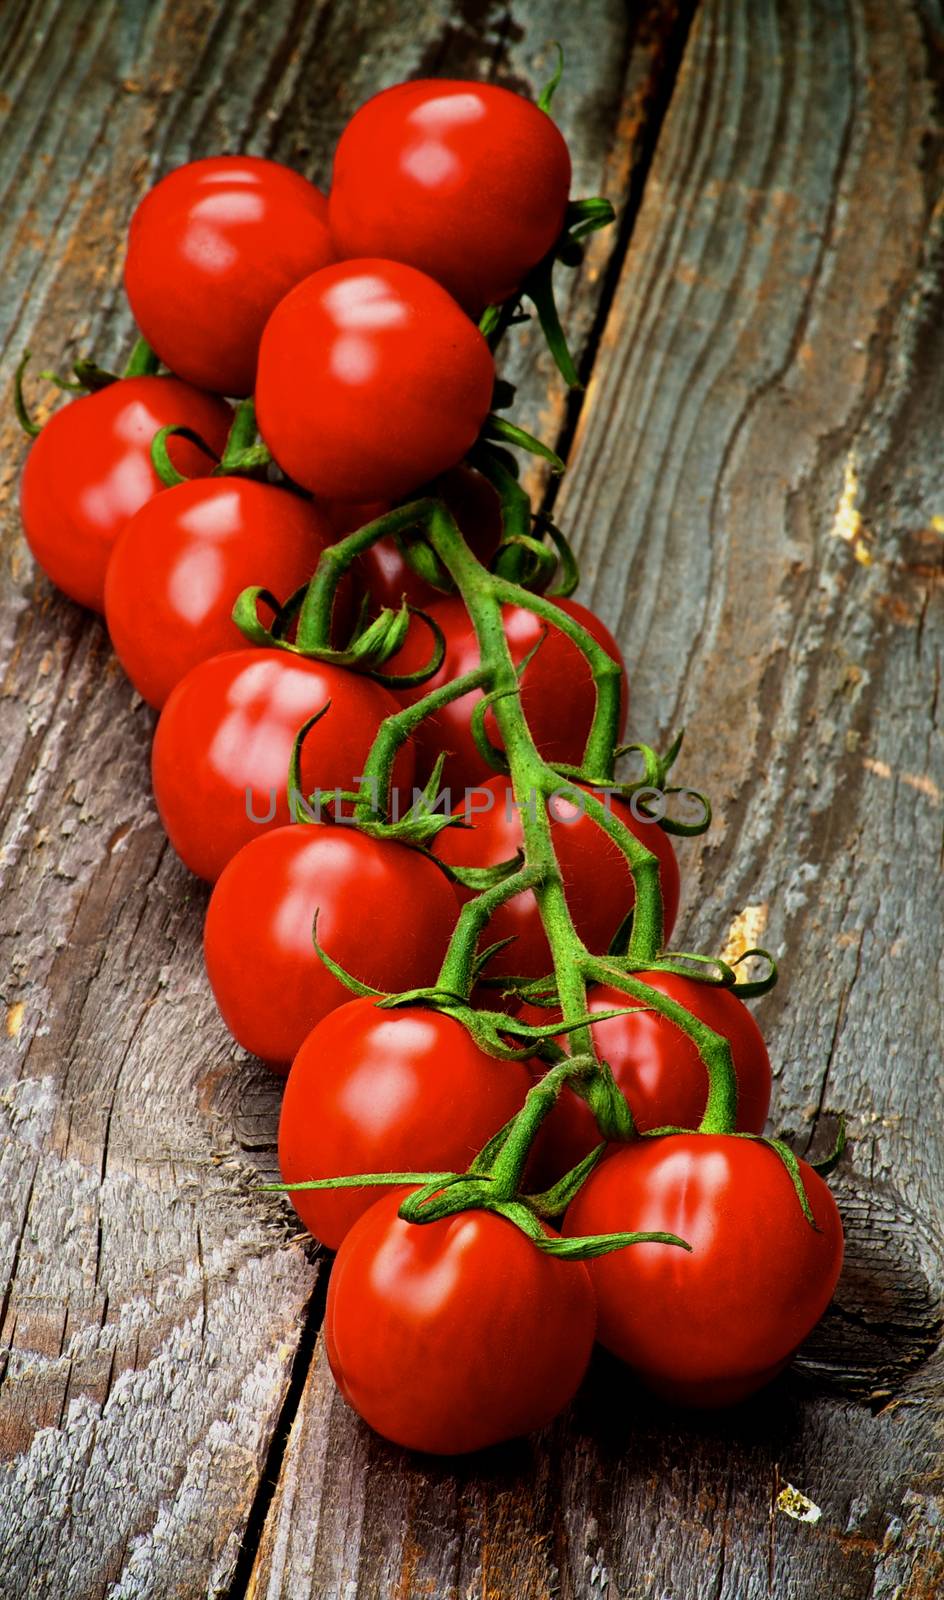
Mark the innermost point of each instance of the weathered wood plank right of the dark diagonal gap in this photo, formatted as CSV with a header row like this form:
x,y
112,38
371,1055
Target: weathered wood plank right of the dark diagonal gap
x,y
754,492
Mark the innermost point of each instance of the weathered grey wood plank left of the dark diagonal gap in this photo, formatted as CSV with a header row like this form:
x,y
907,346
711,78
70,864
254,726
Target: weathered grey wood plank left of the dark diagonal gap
x,y
151,1302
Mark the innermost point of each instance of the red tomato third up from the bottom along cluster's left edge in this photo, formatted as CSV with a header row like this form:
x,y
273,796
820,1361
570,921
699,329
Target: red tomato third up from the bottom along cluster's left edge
x,y
385,914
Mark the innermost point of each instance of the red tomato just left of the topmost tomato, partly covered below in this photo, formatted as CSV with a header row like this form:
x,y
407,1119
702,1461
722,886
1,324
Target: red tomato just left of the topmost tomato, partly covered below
x,y
212,252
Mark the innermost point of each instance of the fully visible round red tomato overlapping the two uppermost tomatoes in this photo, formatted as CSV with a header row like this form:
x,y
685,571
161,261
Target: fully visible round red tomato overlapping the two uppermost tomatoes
x,y
372,382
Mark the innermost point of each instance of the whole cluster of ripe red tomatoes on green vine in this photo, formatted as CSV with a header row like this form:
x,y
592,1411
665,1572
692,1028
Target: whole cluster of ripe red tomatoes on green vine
x,y
388,738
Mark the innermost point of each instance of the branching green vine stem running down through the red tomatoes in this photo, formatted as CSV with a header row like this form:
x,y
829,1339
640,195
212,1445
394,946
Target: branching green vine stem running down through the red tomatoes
x,y
495,1178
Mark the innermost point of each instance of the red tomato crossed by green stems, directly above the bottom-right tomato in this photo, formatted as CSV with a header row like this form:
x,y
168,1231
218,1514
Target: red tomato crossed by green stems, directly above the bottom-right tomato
x,y
657,1066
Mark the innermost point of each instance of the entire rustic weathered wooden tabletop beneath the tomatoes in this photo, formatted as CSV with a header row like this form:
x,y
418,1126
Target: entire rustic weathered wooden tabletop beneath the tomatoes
x,y
754,490
